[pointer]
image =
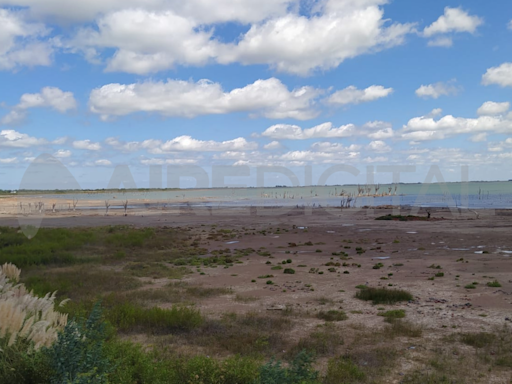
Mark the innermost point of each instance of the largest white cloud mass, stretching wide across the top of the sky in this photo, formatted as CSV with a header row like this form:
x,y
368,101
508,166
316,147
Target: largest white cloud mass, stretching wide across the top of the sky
x,y
152,39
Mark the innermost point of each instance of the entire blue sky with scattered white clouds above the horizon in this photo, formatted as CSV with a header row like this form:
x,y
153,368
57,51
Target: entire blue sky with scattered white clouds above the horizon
x,y
167,85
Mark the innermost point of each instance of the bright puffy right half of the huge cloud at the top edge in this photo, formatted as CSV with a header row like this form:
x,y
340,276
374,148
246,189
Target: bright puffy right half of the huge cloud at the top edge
x,y
291,43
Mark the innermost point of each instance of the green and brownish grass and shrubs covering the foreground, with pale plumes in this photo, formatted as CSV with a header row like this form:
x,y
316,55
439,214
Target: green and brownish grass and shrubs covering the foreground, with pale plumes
x,y
109,274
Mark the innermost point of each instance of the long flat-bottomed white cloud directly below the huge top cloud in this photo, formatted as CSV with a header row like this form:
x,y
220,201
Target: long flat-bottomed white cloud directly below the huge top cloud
x,y
269,98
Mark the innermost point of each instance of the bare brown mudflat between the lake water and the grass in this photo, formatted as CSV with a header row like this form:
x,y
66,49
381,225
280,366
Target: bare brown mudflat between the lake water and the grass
x,y
467,246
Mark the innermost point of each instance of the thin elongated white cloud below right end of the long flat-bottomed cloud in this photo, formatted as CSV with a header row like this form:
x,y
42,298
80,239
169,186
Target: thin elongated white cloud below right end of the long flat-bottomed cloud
x,y
376,129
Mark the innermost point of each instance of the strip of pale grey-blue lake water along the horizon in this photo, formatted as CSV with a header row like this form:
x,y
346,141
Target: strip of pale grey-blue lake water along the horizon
x,y
490,195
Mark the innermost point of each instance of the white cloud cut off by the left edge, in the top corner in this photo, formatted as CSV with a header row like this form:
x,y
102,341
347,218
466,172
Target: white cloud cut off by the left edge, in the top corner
x,y
19,44
